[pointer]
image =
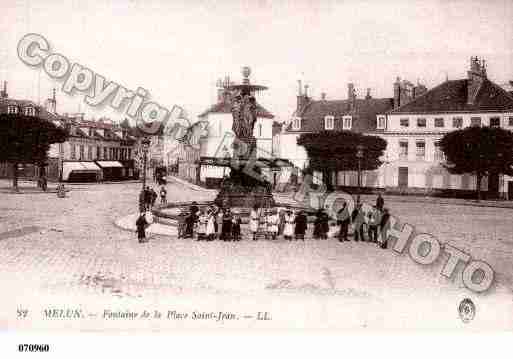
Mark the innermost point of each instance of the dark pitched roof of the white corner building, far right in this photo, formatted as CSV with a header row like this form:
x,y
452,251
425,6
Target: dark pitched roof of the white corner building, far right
x,y
451,96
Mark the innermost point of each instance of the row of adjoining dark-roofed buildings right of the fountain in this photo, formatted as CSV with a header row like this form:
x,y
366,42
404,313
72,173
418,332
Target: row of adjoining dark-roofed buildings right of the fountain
x,y
412,123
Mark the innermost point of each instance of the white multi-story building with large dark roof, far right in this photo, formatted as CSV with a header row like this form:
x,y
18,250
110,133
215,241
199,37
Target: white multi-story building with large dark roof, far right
x,y
413,160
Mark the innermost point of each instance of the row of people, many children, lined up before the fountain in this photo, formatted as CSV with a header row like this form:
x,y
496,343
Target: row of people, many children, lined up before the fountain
x,y
270,223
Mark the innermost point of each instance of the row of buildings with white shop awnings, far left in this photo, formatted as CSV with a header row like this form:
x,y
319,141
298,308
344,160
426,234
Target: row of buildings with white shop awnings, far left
x,y
94,150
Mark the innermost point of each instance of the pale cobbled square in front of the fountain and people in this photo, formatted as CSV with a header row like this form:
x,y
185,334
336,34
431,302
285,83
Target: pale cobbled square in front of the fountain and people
x,y
56,252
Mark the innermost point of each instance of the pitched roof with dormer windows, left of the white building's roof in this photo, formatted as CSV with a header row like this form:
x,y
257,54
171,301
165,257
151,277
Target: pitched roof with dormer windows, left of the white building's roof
x,y
363,114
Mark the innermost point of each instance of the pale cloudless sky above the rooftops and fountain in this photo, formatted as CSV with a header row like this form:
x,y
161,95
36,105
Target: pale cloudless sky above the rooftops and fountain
x,y
178,49
